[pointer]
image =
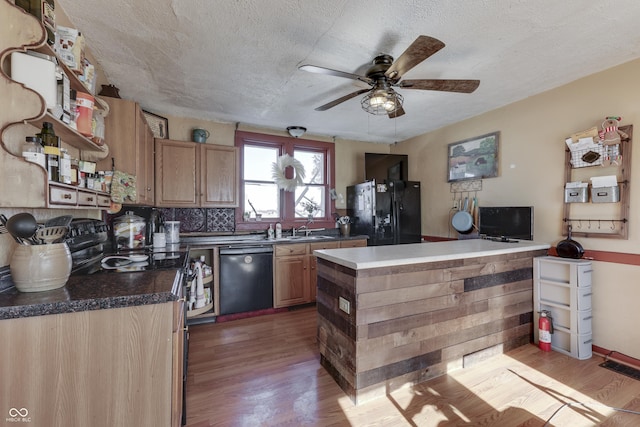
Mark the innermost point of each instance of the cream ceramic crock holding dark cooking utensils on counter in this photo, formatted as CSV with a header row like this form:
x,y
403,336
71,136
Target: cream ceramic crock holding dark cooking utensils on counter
x,y
36,268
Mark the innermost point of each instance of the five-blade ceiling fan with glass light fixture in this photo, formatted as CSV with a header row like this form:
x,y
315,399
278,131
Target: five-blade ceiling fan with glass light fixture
x,y
385,74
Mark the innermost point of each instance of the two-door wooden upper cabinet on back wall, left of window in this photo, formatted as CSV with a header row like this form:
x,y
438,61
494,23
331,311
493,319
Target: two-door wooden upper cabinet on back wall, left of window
x,y
195,175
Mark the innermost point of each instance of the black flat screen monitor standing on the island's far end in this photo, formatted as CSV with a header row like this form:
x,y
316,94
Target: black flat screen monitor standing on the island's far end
x,y
510,222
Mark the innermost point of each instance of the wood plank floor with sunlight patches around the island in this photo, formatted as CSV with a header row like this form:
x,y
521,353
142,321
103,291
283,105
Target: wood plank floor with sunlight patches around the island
x,y
265,371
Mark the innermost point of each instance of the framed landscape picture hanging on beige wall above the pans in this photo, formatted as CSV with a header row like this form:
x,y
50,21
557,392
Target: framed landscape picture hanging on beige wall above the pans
x,y
473,158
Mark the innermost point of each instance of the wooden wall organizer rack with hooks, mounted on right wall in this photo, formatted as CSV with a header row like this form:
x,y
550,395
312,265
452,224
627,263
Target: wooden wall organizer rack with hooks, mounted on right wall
x,y
604,220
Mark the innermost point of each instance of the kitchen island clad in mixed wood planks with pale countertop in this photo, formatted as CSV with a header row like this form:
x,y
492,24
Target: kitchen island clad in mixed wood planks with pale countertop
x,y
389,316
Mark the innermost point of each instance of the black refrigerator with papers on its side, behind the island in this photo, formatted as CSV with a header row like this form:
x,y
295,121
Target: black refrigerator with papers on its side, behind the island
x,y
389,213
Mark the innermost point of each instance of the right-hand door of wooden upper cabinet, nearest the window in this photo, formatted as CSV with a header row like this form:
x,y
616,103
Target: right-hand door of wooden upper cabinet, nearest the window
x,y
219,168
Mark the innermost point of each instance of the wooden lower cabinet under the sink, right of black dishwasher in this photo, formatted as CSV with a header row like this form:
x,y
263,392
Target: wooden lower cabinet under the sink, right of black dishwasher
x,y
295,277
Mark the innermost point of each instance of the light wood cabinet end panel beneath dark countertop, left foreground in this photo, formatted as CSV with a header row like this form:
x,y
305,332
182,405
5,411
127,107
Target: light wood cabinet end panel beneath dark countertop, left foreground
x,y
94,368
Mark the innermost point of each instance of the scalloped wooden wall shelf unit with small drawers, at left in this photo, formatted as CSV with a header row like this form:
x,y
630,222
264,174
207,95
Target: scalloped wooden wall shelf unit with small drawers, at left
x,y
29,186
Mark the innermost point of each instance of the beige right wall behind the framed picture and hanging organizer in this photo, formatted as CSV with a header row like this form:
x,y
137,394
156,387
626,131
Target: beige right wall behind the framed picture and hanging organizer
x,y
532,173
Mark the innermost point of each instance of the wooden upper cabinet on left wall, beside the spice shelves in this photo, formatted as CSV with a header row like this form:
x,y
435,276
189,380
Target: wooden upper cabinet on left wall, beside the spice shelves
x,y
130,142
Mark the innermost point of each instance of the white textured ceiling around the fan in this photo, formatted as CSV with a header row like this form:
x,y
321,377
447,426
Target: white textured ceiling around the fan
x,y
237,61
